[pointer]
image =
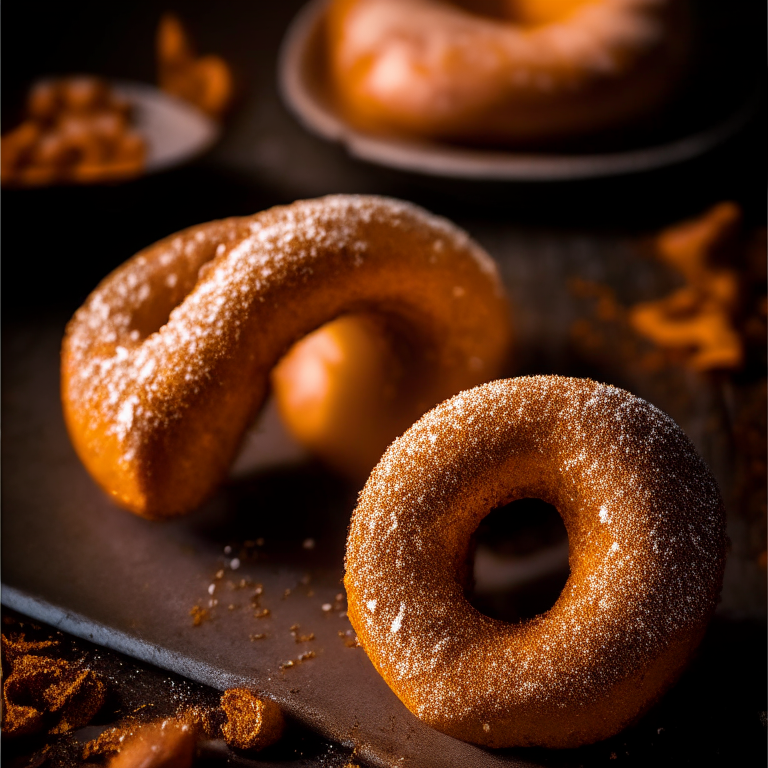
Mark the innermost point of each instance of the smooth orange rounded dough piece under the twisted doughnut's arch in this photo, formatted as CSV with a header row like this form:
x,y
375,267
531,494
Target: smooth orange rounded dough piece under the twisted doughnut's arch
x,y
348,389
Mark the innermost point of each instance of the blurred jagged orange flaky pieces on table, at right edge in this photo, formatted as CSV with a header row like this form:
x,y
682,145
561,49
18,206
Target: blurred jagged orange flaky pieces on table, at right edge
x,y
706,323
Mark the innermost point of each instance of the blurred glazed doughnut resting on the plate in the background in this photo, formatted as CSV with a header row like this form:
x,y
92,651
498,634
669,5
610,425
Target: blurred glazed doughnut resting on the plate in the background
x,y
540,71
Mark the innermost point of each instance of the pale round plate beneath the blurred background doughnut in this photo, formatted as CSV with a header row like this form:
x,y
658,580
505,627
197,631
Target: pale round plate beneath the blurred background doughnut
x,y
305,91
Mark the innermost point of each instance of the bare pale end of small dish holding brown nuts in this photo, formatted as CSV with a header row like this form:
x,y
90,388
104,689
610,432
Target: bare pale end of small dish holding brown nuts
x,y
175,131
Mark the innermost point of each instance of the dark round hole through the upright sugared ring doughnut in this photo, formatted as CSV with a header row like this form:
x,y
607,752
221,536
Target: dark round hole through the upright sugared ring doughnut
x,y
520,560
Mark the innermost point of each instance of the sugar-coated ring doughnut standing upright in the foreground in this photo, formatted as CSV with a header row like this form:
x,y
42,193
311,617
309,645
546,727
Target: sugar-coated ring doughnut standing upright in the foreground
x,y
646,529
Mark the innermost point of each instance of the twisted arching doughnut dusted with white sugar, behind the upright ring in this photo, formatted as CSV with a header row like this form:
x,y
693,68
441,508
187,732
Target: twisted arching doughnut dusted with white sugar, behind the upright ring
x,y
168,360
